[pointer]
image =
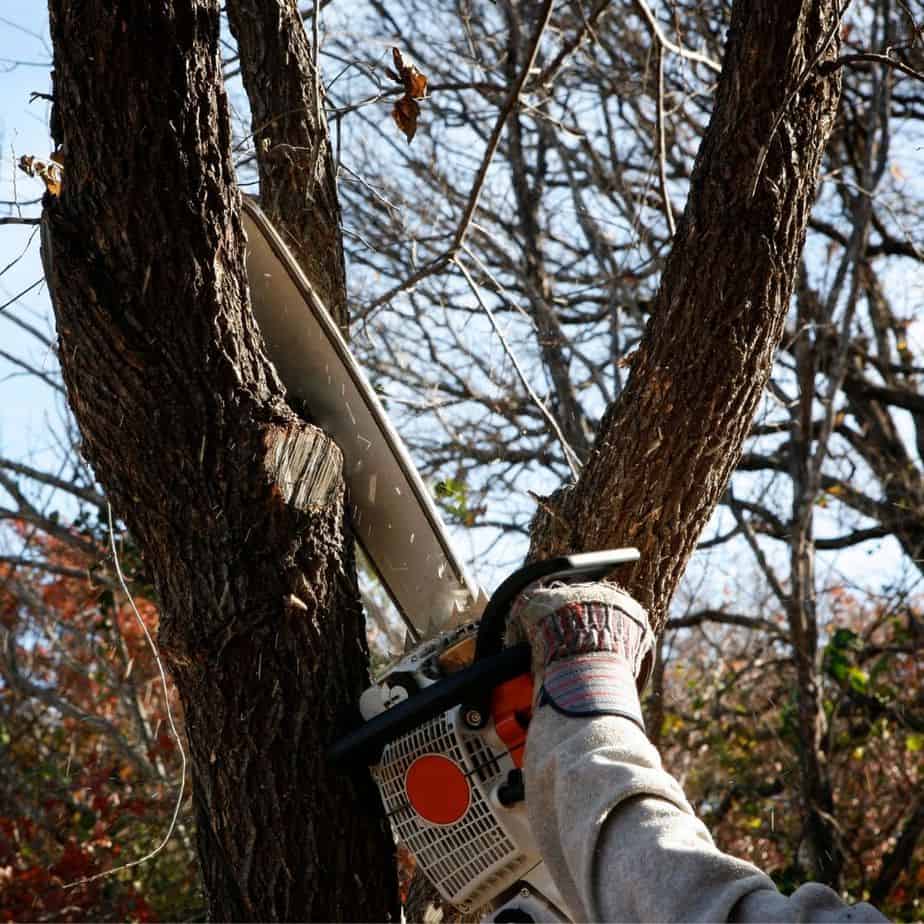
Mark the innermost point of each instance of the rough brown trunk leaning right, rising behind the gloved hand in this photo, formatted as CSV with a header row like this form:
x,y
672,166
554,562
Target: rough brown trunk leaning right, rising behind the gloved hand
x,y
666,448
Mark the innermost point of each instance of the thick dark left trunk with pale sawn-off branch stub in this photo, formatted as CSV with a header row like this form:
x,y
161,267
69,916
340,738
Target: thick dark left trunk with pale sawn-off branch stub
x,y
236,502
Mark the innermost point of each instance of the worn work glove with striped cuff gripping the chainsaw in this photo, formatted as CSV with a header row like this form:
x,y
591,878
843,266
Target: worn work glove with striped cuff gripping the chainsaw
x,y
592,648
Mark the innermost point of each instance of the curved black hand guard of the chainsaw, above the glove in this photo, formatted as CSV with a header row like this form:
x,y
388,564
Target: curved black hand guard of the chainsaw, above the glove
x,y
493,626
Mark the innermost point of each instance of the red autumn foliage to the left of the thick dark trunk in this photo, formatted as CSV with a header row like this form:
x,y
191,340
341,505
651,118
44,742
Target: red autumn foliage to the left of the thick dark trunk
x,y
88,771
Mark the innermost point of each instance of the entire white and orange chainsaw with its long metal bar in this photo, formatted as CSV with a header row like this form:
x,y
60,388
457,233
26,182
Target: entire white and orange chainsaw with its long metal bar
x,y
443,731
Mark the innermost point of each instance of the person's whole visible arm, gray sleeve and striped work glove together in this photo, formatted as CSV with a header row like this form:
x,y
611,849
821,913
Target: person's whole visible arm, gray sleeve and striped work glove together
x,y
614,829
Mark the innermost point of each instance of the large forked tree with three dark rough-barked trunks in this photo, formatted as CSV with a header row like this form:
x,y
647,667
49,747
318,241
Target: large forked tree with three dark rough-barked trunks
x,y
184,418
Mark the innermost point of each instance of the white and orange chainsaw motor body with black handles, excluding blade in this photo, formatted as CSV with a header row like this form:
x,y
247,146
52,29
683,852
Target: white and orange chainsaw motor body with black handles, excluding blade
x,y
444,737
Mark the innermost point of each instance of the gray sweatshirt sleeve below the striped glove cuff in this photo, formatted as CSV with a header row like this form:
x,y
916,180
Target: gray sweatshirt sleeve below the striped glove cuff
x,y
623,844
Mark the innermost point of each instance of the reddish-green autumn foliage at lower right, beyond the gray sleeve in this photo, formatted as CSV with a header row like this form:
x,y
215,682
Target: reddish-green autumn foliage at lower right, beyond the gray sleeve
x,y
729,734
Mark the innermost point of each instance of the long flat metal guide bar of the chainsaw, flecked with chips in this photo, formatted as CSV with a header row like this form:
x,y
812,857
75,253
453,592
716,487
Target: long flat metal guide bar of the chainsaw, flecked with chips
x,y
393,516
